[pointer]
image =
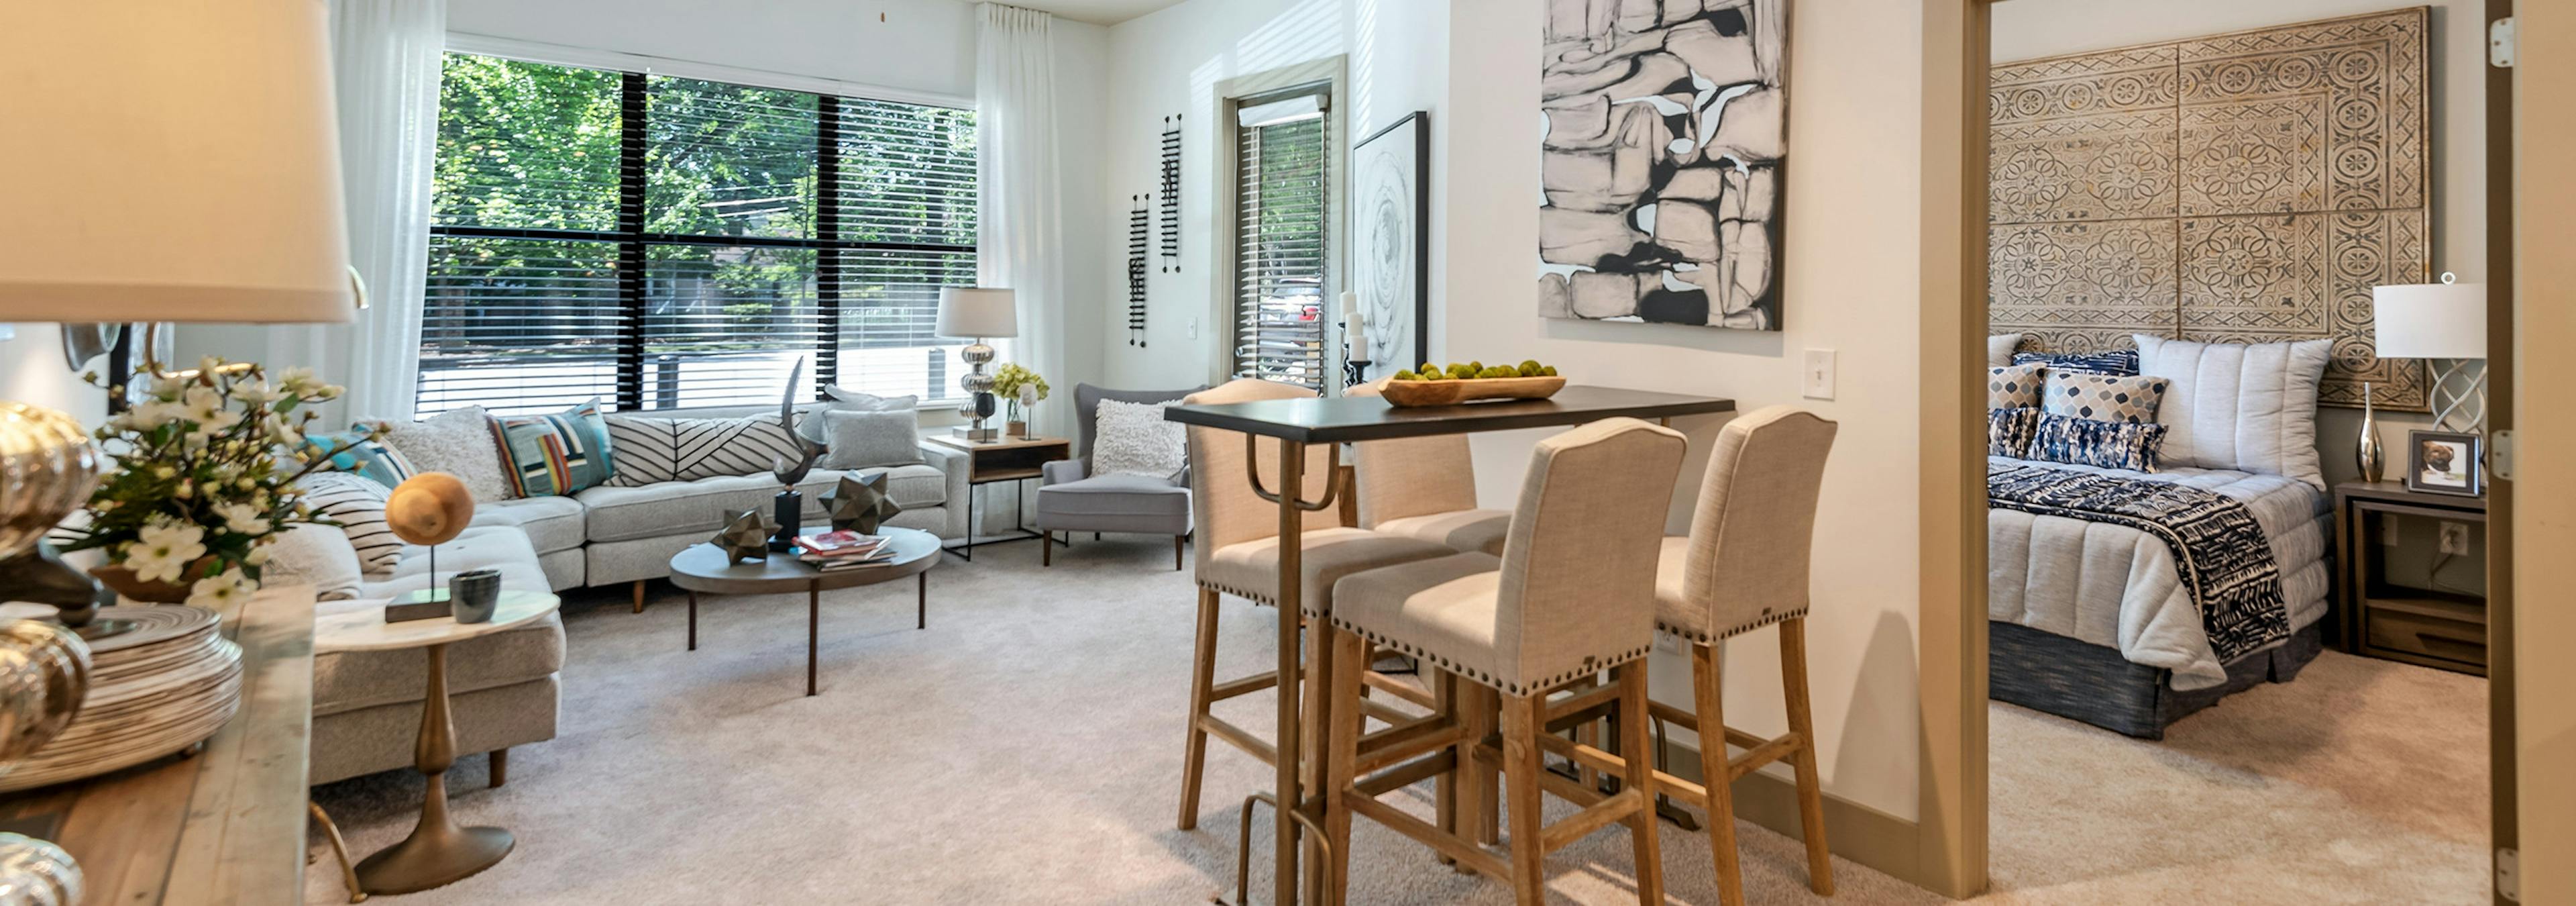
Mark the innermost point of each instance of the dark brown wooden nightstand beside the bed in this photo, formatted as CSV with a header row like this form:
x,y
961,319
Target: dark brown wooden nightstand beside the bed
x,y
2412,575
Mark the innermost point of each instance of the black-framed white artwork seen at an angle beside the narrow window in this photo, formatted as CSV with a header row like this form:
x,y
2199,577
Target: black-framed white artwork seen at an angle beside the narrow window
x,y
1390,243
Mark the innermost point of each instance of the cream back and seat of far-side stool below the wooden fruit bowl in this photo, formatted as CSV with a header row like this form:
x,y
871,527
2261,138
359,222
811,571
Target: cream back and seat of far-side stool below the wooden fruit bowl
x,y
1426,488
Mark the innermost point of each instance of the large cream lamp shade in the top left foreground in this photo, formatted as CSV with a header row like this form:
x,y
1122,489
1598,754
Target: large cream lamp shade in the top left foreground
x,y
171,163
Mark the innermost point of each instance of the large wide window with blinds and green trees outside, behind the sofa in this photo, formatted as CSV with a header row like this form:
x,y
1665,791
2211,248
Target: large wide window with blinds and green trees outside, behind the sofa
x,y
679,243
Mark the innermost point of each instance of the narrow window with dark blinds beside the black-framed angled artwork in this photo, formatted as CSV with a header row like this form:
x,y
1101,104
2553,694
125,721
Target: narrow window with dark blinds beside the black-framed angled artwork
x,y
1282,192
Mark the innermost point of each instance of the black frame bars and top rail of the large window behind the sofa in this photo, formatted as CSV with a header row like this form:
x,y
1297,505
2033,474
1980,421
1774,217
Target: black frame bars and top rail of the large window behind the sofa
x,y
635,241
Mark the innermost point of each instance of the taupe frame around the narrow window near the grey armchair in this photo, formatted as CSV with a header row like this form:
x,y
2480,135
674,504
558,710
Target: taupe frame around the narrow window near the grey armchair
x,y
1227,238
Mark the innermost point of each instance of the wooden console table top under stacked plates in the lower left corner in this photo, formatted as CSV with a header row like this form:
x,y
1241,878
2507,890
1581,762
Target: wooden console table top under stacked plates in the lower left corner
x,y
223,825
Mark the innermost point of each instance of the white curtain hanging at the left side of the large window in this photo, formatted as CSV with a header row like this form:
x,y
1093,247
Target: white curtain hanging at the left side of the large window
x,y
385,66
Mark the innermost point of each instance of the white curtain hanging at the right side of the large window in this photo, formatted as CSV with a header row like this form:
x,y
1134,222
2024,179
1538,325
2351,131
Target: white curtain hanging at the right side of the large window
x,y
1019,210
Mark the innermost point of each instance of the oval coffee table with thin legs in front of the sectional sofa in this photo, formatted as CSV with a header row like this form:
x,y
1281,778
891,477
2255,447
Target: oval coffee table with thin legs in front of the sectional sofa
x,y
707,570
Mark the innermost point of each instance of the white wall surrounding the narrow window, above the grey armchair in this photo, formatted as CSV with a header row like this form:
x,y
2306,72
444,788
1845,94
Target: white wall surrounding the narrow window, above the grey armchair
x,y
1173,63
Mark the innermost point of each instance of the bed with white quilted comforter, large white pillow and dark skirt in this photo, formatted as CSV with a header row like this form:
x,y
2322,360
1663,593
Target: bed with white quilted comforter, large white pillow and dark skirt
x,y
2096,622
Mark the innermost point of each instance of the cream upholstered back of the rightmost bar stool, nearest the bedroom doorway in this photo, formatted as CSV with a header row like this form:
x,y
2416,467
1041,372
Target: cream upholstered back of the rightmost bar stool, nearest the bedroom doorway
x,y
1745,562
